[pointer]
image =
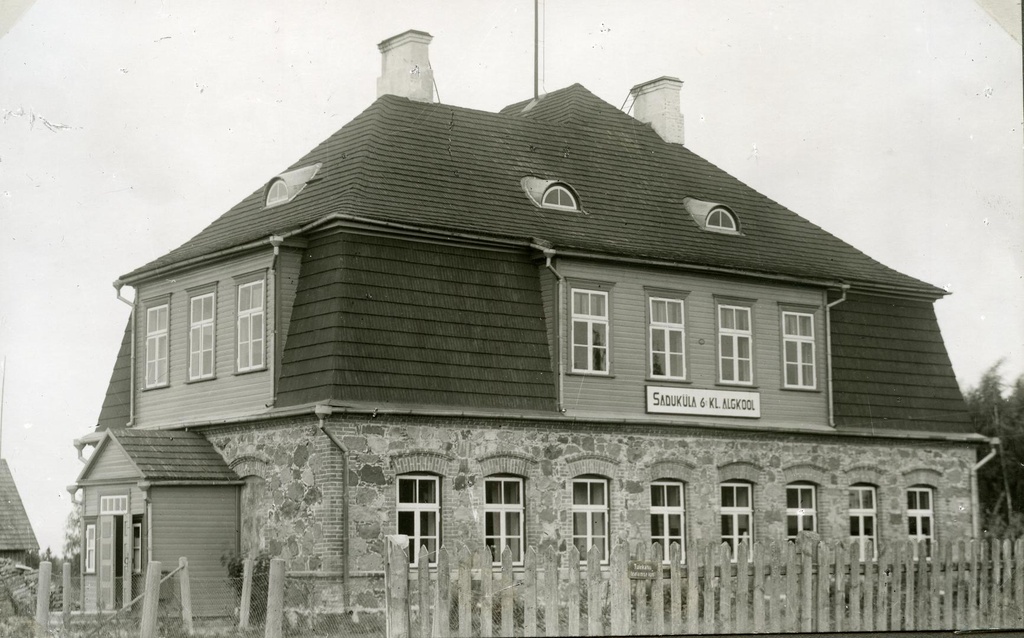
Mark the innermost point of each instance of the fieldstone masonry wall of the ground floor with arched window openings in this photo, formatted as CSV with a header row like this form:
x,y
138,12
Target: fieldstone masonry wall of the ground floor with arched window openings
x,y
308,492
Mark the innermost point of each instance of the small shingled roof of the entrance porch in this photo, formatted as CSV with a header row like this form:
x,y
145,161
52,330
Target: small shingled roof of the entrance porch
x,y
162,455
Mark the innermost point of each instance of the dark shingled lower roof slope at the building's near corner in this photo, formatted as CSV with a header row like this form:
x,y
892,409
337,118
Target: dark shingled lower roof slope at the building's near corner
x,y
390,321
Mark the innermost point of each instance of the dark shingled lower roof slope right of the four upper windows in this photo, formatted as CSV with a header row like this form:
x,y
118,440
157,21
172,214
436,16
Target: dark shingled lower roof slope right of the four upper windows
x,y
890,368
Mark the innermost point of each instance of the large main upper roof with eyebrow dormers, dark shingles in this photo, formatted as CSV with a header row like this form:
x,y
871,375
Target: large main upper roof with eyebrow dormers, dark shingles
x,y
449,168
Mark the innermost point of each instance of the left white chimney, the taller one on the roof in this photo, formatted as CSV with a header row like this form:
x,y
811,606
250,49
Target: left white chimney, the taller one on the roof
x,y
406,68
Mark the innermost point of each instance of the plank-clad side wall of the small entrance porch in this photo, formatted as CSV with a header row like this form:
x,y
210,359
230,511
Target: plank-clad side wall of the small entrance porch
x,y
201,524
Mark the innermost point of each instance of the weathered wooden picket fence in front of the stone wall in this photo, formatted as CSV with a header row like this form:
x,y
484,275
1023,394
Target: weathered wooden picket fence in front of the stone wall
x,y
806,587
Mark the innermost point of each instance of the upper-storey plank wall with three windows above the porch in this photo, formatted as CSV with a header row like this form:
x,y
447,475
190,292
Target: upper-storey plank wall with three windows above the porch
x,y
228,394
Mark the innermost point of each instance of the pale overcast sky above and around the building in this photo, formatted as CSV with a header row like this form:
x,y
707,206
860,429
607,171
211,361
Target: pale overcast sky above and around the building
x,y
125,129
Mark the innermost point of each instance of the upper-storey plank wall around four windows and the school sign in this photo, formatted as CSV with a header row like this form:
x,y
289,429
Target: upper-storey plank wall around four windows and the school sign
x,y
623,392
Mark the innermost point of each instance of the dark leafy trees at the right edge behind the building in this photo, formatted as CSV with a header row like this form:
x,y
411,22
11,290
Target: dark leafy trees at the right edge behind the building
x,y
999,411
